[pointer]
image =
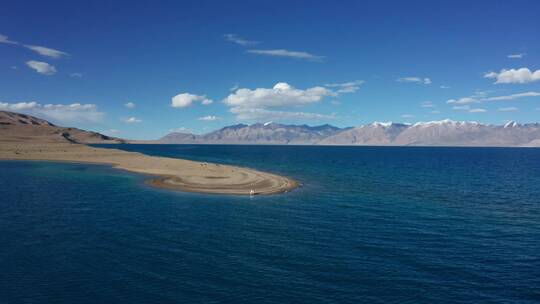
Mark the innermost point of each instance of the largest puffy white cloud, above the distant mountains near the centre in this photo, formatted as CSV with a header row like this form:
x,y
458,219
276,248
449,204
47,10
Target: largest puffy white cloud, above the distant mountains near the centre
x,y
254,104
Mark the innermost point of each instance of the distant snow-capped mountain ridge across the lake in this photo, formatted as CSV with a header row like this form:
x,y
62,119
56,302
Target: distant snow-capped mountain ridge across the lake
x,y
434,133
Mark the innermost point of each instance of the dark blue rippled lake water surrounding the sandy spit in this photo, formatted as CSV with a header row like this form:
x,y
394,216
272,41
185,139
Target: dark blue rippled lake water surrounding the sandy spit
x,y
370,225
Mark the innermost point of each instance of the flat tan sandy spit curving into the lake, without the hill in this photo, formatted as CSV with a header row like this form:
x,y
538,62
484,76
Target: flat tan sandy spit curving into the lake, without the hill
x,y
171,173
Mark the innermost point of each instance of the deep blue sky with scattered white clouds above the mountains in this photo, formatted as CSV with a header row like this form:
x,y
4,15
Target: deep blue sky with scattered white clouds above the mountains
x,y
139,70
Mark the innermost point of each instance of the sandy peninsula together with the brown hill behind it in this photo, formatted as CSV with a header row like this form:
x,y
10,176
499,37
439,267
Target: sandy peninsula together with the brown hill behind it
x,y
28,138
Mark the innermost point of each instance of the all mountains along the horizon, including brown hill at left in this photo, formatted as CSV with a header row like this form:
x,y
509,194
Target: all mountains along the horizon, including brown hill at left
x,y
15,127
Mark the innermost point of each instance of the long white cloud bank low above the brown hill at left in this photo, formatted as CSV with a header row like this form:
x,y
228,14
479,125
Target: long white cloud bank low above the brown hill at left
x,y
71,113
